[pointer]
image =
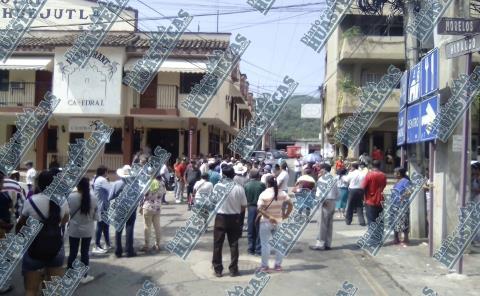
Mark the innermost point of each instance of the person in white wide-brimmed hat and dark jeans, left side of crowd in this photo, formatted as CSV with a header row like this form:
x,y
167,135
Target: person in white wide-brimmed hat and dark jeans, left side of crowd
x,y
124,173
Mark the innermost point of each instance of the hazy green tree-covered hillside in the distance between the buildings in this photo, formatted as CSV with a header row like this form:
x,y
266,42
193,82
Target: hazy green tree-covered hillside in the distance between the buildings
x,y
290,126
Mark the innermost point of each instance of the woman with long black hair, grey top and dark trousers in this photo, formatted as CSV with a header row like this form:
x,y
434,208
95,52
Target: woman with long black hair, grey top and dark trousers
x,y
84,213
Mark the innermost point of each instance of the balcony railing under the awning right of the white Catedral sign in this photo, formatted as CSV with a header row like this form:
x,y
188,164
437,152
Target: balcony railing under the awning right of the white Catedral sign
x,y
166,98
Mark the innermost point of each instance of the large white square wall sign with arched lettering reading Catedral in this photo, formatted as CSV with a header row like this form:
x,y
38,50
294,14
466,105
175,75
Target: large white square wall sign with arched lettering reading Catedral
x,y
94,89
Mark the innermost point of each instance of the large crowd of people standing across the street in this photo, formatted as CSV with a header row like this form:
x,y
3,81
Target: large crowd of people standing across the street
x,y
260,194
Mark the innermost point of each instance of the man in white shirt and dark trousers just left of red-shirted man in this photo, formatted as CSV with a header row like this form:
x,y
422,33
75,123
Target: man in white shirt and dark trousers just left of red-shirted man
x,y
355,194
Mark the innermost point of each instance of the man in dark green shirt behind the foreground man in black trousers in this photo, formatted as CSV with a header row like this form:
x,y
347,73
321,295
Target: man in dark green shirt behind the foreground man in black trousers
x,y
253,189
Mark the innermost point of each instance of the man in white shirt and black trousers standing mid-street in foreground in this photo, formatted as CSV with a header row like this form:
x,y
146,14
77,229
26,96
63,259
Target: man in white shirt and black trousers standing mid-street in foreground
x,y
229,221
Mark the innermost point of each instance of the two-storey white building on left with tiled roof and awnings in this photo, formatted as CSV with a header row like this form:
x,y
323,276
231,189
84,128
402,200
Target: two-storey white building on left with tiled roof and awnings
x,y
154,118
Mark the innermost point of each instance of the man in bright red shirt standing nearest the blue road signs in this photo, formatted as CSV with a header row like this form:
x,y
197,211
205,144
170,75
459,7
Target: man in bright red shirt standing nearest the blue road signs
x,y
374,184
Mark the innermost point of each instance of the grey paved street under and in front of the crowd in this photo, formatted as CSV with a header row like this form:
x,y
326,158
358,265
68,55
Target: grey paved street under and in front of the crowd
x,y
394,271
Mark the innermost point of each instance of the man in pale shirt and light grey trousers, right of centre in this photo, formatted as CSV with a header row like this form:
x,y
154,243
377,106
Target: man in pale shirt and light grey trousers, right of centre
x,y
325,219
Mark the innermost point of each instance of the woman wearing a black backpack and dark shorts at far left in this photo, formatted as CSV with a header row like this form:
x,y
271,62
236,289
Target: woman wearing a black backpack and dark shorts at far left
x,y
46,251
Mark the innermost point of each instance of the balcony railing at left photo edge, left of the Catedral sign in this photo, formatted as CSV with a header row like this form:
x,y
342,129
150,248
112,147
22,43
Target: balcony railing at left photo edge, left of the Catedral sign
x,y
17,94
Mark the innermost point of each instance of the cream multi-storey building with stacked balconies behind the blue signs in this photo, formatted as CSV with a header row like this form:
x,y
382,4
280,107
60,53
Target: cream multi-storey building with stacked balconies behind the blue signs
x,y
360,51
